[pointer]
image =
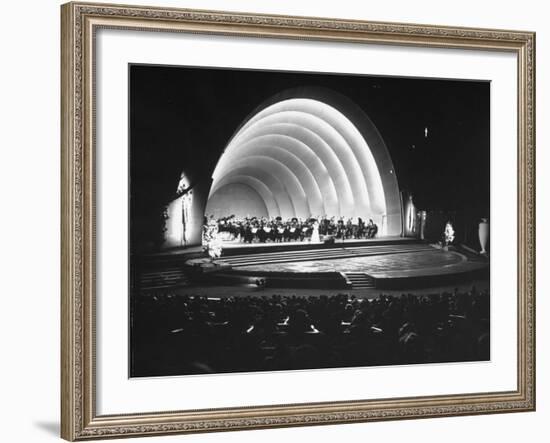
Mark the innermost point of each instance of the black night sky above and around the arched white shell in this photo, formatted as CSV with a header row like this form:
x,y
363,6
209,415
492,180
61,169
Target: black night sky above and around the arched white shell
x,y
184,117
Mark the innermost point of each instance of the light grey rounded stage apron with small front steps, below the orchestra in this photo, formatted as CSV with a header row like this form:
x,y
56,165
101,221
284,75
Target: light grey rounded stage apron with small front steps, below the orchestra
x,y
379,264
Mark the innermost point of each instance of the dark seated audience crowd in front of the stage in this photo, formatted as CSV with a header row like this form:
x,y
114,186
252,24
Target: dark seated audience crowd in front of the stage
x,y
191,334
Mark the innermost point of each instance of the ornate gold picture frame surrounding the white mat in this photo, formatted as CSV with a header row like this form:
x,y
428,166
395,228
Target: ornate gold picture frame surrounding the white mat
x,y
80,23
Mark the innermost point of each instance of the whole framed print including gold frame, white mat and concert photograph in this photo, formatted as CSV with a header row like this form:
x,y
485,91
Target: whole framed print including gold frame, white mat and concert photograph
x,y
282,221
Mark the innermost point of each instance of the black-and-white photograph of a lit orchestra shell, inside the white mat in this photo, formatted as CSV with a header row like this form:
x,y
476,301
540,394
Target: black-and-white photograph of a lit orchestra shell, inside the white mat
x,y
304,220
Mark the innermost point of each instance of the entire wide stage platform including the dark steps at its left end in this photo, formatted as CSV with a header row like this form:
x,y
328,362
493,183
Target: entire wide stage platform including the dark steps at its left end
x,y
381,263
